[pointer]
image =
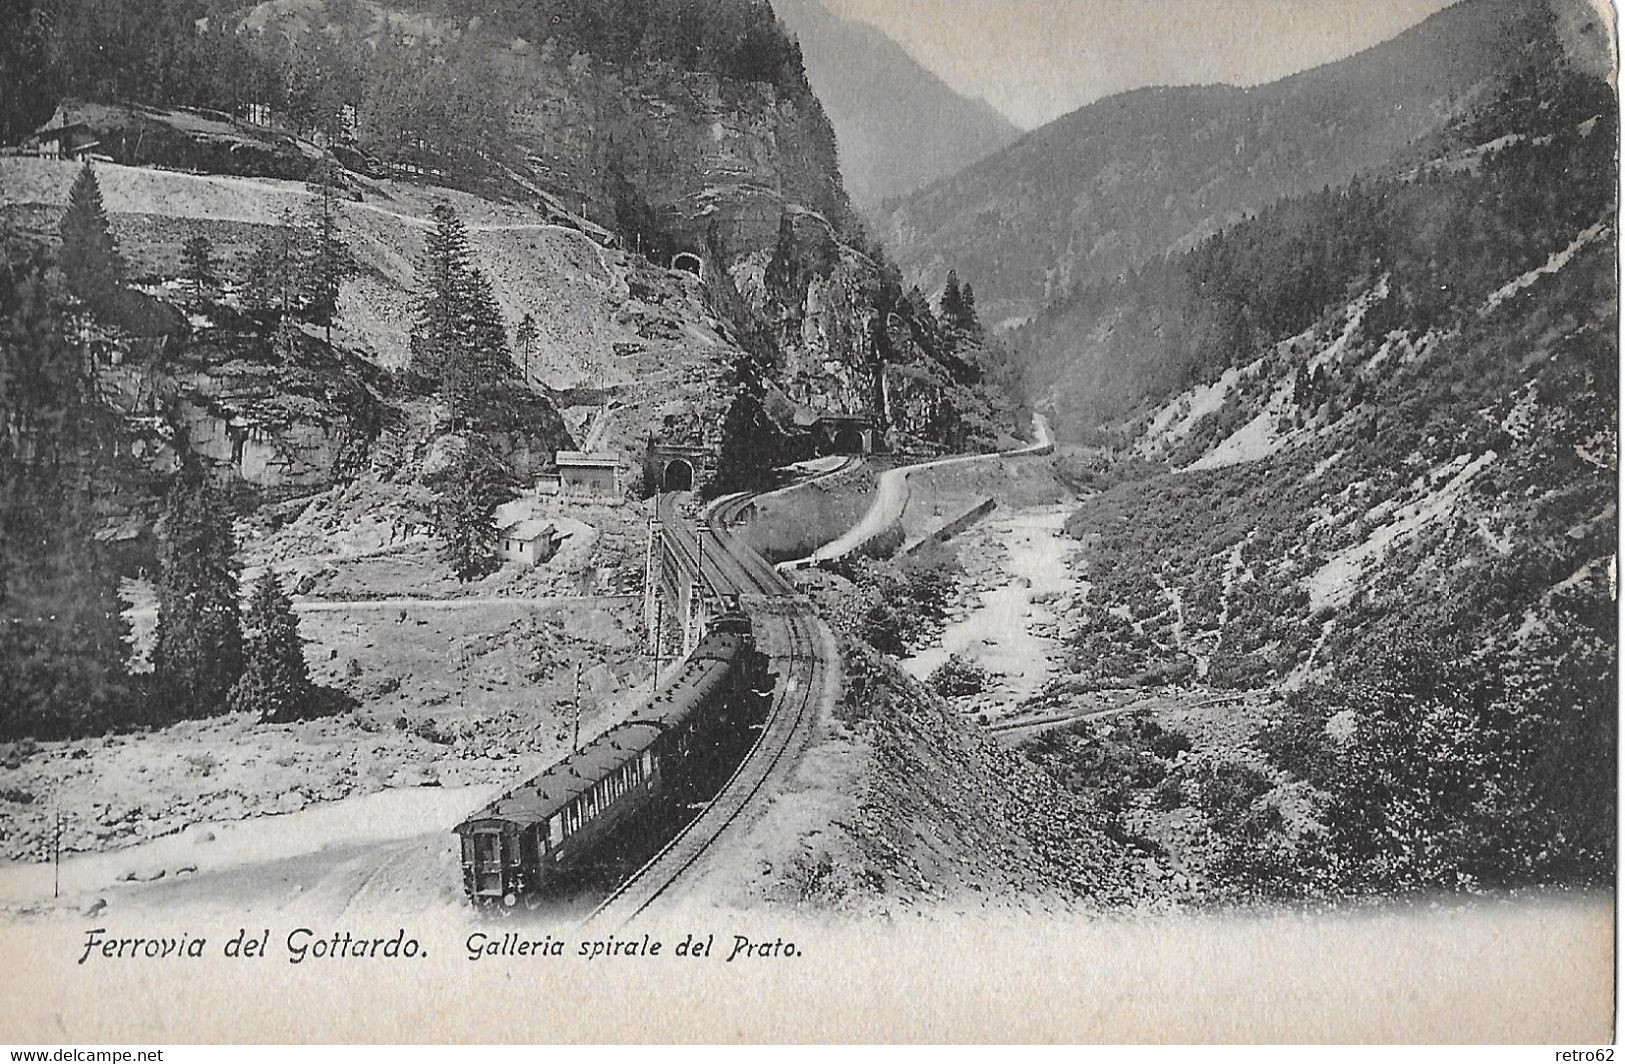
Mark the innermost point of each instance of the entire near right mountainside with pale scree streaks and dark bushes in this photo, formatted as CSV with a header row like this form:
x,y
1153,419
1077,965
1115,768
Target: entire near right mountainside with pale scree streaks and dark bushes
x,y
1372,480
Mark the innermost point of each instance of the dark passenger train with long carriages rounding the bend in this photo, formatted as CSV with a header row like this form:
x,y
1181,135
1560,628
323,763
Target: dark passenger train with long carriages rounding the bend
x,y
672,753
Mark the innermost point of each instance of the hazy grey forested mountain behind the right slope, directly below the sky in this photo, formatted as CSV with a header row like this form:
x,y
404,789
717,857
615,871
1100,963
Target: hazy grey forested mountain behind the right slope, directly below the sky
x,y
1145,173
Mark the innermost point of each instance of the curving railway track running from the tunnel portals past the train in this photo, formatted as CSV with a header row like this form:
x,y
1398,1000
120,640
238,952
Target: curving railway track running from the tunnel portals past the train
x,y
802,655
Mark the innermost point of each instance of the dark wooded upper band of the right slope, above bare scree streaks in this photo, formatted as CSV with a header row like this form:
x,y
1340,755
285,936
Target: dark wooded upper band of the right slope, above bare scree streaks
x,y
1491,192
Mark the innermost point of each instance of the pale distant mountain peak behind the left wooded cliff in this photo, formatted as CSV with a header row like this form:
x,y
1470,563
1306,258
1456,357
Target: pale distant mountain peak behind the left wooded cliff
x,y
898,126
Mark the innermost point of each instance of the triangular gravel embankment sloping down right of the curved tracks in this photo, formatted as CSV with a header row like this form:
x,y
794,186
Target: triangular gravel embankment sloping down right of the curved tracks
x,y
903,807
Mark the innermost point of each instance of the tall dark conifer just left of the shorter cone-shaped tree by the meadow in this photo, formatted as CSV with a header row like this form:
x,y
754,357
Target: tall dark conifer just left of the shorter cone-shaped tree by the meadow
x,y
199,652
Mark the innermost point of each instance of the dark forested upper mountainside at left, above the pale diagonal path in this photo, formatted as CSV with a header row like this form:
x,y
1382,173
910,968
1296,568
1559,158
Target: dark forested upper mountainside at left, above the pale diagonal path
x,y
626,110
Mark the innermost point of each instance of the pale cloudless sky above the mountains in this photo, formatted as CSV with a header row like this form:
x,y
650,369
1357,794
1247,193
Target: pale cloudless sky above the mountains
x,y
1039,59
